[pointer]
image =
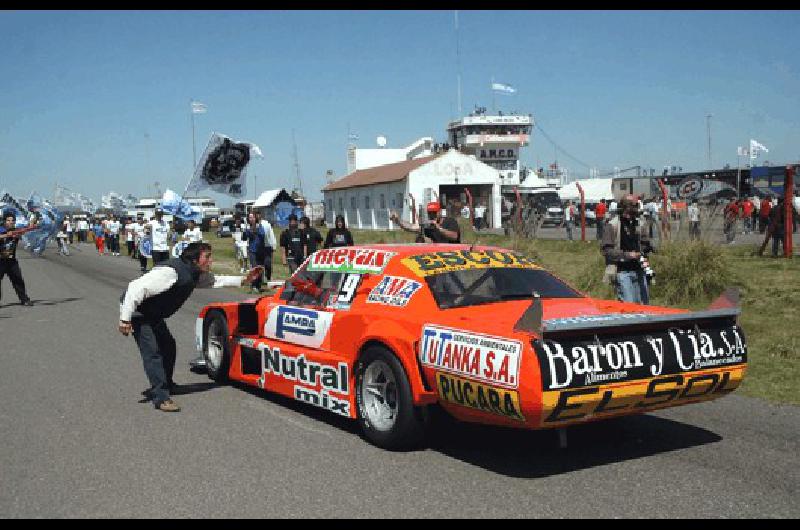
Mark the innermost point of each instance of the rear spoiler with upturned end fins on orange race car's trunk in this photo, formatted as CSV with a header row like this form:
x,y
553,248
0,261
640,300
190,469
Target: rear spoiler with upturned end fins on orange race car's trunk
x,y
724,307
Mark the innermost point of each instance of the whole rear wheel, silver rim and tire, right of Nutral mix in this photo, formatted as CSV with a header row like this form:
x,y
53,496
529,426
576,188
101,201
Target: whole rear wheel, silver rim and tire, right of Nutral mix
x,y
385,406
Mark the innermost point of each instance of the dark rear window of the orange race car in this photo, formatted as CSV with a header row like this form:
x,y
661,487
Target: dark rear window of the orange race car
x,y
486,286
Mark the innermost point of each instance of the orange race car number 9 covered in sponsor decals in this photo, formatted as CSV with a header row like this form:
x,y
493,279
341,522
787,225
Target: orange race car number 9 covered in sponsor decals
x,y
378,333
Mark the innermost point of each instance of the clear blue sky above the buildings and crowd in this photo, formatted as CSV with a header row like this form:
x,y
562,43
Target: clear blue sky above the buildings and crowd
x,y
80,91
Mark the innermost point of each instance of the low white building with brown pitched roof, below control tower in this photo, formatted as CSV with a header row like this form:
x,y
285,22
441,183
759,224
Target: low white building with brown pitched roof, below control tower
x,y
366,196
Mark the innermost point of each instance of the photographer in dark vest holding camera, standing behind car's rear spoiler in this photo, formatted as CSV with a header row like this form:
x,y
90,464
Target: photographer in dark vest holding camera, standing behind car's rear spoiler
x,y
625,247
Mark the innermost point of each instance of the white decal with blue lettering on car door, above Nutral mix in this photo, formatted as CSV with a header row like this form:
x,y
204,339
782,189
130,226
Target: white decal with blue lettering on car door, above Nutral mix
x,y
298,325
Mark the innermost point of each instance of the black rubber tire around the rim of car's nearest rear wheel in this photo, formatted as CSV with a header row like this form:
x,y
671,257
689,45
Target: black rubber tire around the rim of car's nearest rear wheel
x,y
408,429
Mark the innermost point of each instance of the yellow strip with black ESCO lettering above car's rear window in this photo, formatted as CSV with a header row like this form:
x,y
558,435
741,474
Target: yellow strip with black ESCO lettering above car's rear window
x,y
461,260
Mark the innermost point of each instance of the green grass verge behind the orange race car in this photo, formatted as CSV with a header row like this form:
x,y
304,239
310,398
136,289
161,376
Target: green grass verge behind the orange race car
x,y
770,294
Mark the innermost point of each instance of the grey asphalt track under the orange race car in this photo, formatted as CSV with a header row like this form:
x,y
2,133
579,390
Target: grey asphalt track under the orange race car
x,y
76,442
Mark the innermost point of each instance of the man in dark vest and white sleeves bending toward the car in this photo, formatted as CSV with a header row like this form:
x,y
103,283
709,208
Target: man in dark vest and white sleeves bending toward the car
x,y
152,298
